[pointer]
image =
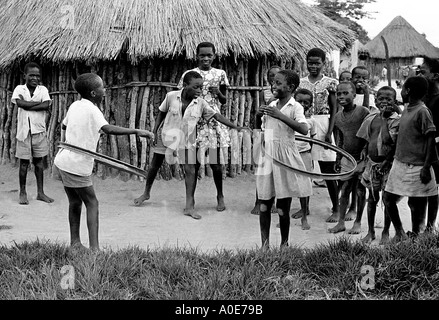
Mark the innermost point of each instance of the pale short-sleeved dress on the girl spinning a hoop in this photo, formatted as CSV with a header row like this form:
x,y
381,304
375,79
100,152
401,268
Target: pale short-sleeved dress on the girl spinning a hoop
x,y
272,180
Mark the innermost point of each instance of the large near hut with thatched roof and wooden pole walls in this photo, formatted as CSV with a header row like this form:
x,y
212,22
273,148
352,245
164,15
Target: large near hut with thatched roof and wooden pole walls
x,y
141,47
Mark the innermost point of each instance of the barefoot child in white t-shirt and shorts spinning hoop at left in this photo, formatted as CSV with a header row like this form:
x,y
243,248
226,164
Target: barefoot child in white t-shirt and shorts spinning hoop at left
x,y
81,127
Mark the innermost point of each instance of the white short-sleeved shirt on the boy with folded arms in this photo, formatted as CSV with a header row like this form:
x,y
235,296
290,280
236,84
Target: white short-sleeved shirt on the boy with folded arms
x,y
33,121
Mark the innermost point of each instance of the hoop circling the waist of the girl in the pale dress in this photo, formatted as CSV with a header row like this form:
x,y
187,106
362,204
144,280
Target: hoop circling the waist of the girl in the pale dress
x,y
323,176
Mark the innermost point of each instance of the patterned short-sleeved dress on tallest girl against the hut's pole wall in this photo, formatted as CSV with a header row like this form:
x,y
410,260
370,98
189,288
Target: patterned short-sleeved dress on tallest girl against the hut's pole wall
x,y
211,134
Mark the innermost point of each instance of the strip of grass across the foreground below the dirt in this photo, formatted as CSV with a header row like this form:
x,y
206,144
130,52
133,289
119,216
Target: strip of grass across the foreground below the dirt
x,y
409,270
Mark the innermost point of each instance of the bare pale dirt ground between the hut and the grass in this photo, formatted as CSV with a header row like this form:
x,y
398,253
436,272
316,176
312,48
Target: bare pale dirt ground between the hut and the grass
x,y
160,221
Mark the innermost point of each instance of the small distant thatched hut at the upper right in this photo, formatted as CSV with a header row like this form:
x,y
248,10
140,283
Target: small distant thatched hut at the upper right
x,y
404,43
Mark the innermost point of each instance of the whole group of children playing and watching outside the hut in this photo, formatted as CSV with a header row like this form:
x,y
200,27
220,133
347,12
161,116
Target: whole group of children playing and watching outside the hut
x,y
395,153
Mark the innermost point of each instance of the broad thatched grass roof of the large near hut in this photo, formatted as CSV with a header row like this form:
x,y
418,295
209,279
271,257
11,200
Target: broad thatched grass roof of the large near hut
x,y
102,29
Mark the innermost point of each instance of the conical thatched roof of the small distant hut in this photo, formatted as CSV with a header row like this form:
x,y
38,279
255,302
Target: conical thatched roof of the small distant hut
x,y
403,42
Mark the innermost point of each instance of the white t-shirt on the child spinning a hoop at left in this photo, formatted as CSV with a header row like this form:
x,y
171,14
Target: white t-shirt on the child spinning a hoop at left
x,y
84,120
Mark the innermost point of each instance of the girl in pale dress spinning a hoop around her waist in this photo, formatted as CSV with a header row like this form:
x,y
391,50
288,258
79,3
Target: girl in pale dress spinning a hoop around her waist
x,y
282,118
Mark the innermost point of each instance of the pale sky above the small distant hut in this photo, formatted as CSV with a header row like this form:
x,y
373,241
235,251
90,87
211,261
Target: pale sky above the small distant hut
x,y
423,15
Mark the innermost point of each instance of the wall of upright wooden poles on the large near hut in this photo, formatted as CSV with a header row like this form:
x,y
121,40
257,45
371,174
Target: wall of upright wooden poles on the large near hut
x,y
133,96
